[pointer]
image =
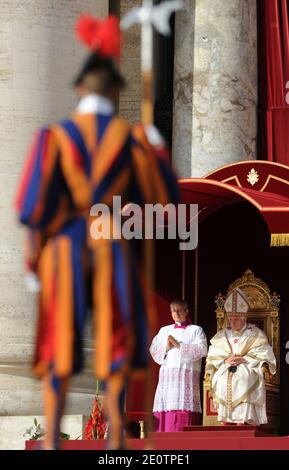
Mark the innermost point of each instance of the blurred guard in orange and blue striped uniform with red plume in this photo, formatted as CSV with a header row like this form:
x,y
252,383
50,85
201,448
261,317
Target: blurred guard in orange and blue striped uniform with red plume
x,y
73,166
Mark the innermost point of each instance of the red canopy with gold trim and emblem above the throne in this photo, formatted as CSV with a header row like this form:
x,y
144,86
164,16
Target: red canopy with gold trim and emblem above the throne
x,y
263,184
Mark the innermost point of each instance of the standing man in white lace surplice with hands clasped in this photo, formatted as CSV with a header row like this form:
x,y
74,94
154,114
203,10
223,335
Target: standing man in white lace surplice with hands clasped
x,y
179,349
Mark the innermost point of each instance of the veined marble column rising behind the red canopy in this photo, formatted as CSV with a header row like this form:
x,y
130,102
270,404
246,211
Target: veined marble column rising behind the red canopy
x,y
215,85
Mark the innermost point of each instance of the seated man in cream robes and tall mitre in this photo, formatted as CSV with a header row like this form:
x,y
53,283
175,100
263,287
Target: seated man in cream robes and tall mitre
x,y
235,359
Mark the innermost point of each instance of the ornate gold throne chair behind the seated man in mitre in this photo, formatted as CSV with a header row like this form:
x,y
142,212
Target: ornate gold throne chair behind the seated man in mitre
x,y
264,313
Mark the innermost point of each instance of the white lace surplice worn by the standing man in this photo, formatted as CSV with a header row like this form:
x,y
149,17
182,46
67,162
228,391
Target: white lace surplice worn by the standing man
x,y
179,376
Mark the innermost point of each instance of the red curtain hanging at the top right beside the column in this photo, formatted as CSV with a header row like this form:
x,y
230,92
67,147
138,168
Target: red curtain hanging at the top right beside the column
x,y
273,60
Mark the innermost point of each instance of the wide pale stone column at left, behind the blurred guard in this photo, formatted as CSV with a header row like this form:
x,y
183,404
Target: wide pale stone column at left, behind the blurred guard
x,y
38,59
